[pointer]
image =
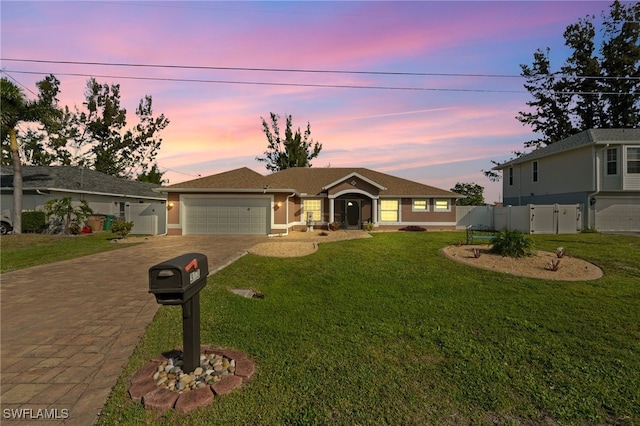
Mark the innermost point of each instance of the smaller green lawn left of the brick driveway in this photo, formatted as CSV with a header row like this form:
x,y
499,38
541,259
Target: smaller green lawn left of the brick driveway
x,y
18,251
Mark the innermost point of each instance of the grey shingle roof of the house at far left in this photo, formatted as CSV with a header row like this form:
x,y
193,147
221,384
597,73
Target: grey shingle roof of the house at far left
x,y
77,179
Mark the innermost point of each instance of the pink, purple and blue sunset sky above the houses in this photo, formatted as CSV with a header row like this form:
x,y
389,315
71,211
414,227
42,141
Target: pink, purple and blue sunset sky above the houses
x,y
426,90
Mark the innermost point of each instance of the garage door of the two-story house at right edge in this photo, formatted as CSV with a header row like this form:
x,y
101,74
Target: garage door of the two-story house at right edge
x,y
617,214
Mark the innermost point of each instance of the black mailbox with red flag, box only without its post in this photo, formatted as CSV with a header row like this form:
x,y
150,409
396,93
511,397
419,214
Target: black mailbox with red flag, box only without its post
x,y
177,280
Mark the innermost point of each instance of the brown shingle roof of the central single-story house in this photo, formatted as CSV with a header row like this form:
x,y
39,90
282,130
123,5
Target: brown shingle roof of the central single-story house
x,y
308,180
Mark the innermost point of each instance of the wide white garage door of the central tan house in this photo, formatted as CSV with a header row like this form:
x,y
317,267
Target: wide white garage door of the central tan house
x,y
226,216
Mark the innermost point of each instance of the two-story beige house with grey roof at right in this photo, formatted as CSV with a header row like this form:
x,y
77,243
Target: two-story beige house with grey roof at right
x,y
597,168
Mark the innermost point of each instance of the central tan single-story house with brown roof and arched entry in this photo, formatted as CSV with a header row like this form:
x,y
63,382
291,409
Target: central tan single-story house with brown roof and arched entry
x,y
242,201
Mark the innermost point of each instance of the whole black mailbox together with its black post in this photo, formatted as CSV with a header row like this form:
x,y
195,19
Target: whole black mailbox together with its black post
x,y
178,281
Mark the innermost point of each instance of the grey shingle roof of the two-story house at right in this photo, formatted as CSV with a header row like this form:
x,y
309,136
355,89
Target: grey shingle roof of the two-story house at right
x,y
587,137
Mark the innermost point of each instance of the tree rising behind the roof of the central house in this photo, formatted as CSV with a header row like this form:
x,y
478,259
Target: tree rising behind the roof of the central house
x,y
295,150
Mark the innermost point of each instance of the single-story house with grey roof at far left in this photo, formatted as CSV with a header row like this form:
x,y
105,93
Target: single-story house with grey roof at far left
x,y
106,195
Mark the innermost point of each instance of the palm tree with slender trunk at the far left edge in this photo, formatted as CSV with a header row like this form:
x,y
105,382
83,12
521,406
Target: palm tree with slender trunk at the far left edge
x,y
16,108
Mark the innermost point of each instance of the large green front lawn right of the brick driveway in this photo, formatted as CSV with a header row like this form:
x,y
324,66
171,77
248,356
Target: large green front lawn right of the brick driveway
x,y
388,331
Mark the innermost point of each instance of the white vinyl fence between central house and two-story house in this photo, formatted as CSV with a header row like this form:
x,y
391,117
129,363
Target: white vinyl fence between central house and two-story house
x,y
529,219
